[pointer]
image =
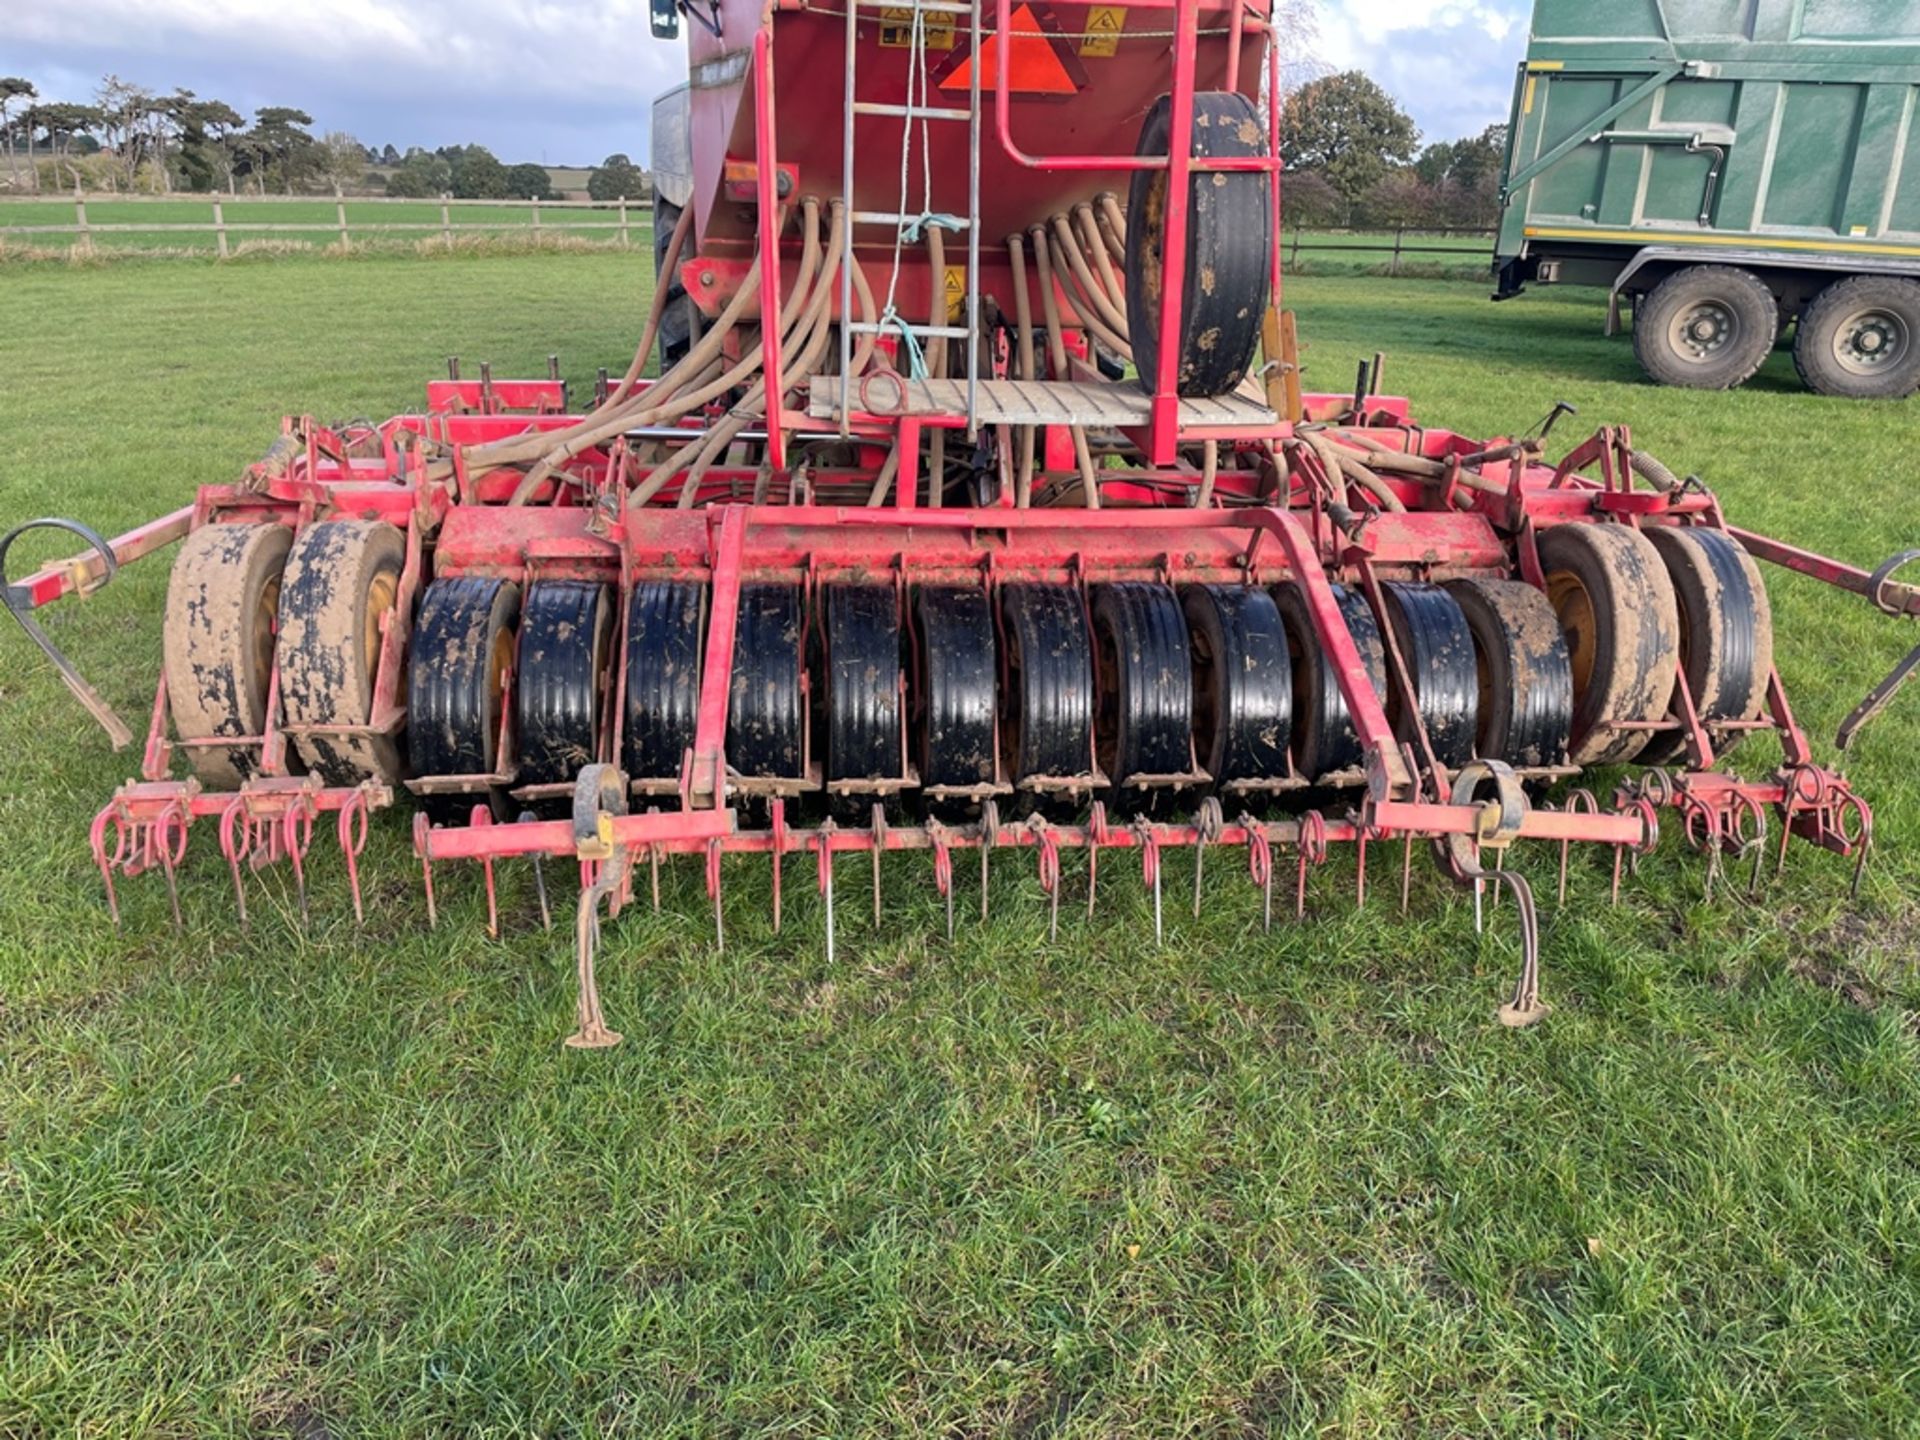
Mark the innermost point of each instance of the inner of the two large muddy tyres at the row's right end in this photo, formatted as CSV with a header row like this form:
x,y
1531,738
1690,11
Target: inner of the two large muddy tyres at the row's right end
x,y
1618,610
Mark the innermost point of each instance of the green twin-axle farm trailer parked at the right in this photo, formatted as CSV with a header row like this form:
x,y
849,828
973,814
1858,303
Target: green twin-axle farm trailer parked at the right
x,y
1727,168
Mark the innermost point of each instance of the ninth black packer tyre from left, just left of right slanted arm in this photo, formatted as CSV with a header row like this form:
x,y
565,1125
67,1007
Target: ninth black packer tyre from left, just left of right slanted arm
x,y
1243,683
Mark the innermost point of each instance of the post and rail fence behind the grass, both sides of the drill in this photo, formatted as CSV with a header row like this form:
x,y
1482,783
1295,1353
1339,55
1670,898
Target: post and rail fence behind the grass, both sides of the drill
x,y
542,218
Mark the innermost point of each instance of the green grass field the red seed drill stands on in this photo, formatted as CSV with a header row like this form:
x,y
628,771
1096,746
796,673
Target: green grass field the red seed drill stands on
x,y
324,1182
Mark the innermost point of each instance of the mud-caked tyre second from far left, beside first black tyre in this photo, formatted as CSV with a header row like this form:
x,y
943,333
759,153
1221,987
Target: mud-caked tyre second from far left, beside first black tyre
x,y
343,583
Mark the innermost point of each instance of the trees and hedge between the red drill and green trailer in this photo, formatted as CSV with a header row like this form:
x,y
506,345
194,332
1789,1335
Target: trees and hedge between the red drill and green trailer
x,y
1355,160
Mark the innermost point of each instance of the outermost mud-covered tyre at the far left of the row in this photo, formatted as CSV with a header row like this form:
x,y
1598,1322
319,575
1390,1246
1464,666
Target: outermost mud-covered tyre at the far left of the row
x,y
224,602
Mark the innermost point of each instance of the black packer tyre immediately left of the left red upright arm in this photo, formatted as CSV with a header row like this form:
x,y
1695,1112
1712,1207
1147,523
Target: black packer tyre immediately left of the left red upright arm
x,y
665,625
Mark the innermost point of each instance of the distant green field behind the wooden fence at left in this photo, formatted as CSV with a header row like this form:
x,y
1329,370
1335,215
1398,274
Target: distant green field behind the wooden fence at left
x,y
364,222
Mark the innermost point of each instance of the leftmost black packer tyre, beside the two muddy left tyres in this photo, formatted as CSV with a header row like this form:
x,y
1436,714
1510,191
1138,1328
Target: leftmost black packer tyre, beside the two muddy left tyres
x,y
458,671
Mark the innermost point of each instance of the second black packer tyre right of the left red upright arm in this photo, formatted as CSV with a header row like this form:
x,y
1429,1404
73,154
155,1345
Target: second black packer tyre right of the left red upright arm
x,y
863,679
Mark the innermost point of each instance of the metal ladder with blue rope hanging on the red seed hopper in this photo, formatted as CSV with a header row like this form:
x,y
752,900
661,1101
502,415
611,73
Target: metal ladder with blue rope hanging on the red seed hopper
x,y
900,222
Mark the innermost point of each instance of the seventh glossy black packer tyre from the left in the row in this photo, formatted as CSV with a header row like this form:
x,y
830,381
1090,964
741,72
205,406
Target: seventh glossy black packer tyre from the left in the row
x,y
1047,688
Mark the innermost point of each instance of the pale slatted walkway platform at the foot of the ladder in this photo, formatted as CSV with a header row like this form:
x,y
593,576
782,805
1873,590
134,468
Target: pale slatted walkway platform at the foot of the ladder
x,y
1120,406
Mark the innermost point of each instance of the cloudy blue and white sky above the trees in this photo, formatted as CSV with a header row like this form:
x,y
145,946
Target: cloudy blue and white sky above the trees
x,y
569,82
